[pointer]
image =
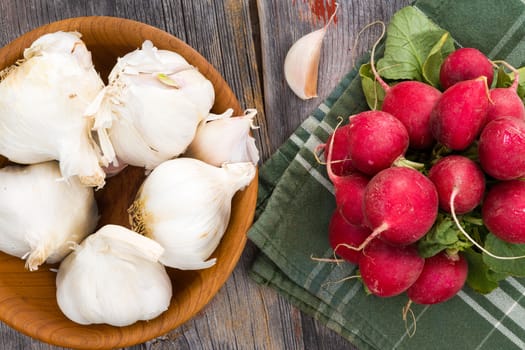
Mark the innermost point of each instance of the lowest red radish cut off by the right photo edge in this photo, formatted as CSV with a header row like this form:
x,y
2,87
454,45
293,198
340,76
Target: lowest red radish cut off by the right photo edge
x,y
503,211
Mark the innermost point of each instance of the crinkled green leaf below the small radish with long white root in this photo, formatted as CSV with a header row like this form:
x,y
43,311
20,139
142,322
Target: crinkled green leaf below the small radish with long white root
x,y
443,235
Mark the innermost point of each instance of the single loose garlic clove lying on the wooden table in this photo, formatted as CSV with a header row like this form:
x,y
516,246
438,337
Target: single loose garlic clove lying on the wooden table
x,y
301,65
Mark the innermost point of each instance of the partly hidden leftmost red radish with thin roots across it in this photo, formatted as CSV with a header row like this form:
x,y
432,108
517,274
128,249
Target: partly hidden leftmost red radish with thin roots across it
x,y
341,164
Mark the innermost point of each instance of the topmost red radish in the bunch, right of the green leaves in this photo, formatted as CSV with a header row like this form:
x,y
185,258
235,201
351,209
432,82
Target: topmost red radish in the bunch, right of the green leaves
x,y
465,64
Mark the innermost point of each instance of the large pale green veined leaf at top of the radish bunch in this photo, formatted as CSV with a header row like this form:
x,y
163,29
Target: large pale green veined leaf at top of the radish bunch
x,y
411,36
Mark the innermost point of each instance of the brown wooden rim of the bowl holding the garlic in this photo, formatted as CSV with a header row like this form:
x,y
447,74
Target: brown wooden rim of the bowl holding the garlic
x,y
121,338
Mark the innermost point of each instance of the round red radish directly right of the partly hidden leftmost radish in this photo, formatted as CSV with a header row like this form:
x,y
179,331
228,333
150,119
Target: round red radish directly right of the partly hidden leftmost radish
x,y
376,140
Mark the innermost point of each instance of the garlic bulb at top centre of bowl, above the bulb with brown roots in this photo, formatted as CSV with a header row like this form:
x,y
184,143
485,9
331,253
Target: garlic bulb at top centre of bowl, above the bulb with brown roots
x,y
150,110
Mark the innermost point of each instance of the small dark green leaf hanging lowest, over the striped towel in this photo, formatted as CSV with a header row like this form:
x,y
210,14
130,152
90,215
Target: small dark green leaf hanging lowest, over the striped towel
x,y
479,277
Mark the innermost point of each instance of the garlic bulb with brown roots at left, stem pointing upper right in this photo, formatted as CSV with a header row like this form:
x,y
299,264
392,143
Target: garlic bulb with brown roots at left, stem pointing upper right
x,y
185,205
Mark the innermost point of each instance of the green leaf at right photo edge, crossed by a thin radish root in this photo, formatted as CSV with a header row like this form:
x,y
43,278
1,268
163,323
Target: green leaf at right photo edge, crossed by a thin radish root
x,y
514,267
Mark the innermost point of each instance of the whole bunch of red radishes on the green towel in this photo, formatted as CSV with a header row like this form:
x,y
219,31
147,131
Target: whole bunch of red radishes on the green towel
x,y
471,138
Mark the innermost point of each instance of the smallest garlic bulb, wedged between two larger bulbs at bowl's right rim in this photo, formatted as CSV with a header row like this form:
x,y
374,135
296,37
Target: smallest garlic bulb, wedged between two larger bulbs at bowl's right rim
x,y
225,140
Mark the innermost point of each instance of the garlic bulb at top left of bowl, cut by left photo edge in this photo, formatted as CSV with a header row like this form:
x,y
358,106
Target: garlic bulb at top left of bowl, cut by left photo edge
x,y
42,101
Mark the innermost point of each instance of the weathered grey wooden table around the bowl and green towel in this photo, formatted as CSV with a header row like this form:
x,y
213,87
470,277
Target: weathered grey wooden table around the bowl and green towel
x,y
246,40
